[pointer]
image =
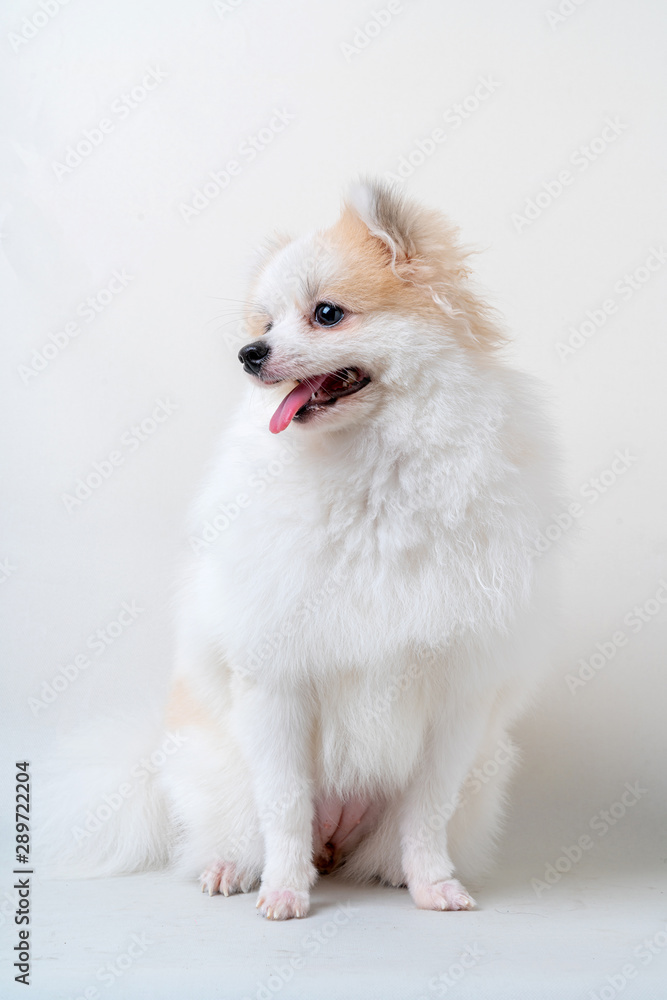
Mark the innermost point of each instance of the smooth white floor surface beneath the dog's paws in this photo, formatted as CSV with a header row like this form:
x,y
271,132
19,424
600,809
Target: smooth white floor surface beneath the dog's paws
x,y
592,935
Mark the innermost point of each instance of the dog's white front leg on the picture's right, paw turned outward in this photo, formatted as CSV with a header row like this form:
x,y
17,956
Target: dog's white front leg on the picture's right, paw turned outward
x,y
430,803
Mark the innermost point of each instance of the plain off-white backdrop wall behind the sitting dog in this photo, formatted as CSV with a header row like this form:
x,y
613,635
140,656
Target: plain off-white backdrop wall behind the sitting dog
x,y
173,332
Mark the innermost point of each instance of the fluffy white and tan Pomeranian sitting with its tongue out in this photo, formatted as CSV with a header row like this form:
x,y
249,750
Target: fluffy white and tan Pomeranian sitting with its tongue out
x,y
355,643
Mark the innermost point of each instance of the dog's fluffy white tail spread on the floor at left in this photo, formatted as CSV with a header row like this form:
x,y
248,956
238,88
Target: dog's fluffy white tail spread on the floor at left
x,y
99,807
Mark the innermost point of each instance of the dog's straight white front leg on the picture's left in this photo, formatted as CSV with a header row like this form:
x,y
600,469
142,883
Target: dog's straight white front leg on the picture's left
x,y
276,730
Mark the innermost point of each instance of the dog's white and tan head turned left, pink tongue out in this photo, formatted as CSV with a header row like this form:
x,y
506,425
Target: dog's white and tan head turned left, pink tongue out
x,y
345,318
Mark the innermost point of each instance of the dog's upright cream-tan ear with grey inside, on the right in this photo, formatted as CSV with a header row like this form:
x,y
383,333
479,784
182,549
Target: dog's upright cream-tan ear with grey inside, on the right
x,y
422,246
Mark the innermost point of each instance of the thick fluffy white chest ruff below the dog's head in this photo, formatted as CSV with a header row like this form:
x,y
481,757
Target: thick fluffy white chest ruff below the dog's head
x,y
353,560
